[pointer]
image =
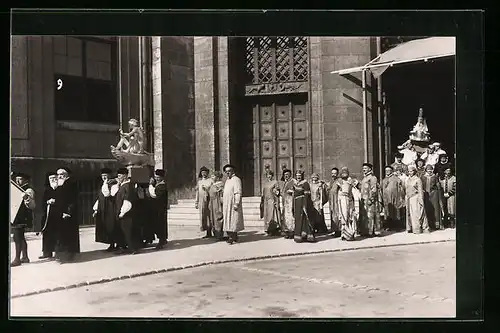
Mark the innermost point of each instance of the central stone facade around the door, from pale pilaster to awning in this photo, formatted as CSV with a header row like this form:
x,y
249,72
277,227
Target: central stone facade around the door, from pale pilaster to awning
x,y
269,103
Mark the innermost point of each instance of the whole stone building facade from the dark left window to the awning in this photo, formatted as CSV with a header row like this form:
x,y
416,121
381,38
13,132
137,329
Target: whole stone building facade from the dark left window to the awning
x,y
258,103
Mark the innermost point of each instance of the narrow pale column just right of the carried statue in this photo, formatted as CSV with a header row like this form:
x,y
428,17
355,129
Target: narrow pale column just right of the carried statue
x,y
157,103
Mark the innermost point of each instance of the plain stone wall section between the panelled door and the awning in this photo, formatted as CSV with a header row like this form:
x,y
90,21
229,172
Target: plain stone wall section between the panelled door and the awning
x,y
337,113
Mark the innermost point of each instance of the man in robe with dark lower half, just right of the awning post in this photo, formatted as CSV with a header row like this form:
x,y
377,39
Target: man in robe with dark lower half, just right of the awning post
x,y
393,199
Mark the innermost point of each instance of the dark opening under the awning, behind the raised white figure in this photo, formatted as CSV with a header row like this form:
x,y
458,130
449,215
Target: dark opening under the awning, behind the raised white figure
x,y
428,85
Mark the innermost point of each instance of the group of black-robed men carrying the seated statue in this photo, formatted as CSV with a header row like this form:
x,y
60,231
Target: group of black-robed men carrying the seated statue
x,y
129,215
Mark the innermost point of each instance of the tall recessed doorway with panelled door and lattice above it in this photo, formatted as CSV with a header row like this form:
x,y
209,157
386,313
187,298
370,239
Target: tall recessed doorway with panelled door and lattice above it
x,y
271,121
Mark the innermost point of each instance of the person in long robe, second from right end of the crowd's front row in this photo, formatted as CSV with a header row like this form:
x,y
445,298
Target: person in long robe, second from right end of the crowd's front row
x,y
432,197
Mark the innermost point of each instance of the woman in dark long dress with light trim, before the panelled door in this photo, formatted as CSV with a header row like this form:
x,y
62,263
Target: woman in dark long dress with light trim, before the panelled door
x,y
302,208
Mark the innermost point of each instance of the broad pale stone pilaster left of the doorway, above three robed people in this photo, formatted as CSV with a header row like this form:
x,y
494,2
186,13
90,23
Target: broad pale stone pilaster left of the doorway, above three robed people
x,y
204,102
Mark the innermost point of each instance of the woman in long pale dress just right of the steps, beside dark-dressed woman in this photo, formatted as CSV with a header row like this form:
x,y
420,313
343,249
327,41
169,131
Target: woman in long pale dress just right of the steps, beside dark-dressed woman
x,y
269,205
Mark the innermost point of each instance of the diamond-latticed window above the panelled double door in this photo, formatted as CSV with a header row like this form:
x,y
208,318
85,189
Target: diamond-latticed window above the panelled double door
x,y
276,59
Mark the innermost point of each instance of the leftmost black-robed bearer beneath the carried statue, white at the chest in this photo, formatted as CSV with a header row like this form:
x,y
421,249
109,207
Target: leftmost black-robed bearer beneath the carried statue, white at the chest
x,y
104,212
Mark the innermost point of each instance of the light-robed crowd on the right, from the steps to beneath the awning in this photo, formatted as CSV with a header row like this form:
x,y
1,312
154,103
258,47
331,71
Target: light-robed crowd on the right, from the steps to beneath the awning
x,y
417,194
